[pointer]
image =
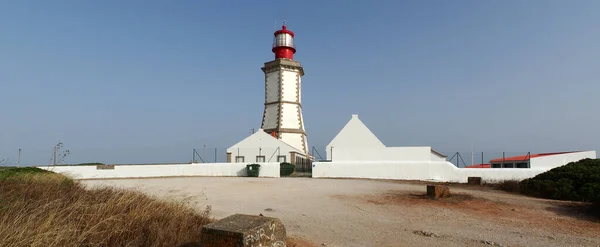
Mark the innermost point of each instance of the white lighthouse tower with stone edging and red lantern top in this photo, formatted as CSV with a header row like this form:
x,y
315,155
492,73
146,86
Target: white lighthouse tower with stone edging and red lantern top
x,y
282,116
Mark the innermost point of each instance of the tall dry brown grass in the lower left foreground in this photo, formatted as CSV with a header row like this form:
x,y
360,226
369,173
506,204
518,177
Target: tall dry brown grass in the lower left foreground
x,y
47,209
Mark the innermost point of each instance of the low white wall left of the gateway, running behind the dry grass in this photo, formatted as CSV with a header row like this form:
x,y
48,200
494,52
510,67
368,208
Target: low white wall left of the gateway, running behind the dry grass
x,y
166,170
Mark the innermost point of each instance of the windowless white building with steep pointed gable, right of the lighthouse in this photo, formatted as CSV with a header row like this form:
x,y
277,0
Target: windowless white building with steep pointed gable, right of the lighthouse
x,y
355,142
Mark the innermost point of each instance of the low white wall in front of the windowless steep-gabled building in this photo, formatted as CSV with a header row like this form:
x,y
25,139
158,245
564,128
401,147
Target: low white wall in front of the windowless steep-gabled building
x,y
440,171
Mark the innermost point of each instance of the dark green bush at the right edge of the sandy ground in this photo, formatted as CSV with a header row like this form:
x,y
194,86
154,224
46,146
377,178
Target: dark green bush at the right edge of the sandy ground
x,y
576,181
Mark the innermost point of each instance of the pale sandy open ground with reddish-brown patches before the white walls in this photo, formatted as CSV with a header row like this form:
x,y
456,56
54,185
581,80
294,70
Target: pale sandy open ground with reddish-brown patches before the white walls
x,y
346,212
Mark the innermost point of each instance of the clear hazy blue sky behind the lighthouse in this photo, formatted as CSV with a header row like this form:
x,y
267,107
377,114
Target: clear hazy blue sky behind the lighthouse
x,y
148,81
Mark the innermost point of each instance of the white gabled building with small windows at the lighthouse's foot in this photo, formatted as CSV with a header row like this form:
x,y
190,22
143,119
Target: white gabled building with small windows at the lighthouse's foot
x,y
261,147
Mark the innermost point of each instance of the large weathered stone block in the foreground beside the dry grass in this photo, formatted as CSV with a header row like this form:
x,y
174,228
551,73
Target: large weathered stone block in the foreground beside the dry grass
x,y
240,230
